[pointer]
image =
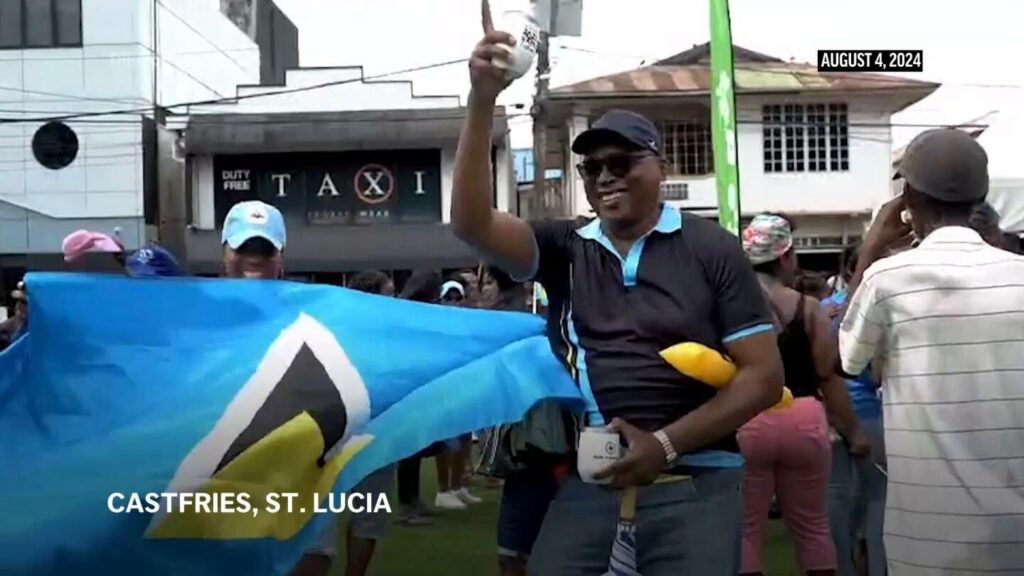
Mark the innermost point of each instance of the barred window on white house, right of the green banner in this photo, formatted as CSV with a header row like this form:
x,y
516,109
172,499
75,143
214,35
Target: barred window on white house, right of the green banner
x,y
801,138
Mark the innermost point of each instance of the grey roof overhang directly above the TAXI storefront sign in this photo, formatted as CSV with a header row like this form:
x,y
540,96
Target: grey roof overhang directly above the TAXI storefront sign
x,y
323,132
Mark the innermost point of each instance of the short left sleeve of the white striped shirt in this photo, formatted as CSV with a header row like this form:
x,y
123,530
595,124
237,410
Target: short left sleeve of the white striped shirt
x,y
864,330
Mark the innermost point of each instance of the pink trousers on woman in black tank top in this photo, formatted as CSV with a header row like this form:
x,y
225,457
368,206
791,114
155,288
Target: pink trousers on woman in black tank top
x,y
789,455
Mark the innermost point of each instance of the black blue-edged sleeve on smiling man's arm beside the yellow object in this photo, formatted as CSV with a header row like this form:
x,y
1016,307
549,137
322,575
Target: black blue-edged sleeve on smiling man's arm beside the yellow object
x,y
741,307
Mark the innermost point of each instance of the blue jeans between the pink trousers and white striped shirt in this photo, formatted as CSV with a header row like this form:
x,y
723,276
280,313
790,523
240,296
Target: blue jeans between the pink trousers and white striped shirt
x,y
858,503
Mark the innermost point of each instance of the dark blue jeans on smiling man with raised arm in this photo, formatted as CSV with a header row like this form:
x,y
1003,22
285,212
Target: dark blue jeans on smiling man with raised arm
x,y
693,526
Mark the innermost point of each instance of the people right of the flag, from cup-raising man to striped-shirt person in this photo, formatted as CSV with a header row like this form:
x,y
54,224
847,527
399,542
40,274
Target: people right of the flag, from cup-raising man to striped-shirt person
x,y
902,446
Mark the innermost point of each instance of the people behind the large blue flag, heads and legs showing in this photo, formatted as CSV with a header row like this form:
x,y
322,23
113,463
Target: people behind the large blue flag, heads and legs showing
x,y
254,241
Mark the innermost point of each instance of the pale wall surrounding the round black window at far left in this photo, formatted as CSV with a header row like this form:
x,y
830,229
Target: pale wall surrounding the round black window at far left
x,y
201,56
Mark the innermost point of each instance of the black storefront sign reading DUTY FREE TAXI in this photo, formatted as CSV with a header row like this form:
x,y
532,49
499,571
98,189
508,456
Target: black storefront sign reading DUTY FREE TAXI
x,y
335,189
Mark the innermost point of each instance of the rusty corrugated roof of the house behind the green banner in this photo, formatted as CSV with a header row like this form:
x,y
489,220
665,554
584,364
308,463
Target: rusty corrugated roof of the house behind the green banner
x,y
751,77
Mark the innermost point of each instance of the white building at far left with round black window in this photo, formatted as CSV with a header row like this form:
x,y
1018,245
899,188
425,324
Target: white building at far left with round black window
x,y
79,85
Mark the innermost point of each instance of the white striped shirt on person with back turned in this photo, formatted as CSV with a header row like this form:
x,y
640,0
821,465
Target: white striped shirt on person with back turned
x,y
947,321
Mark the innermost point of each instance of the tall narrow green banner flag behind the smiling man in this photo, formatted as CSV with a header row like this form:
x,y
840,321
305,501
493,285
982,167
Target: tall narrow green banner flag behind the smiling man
x,y
723,112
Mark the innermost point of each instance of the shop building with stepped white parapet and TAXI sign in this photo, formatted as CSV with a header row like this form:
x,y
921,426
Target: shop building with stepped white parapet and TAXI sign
x,y
362,171
